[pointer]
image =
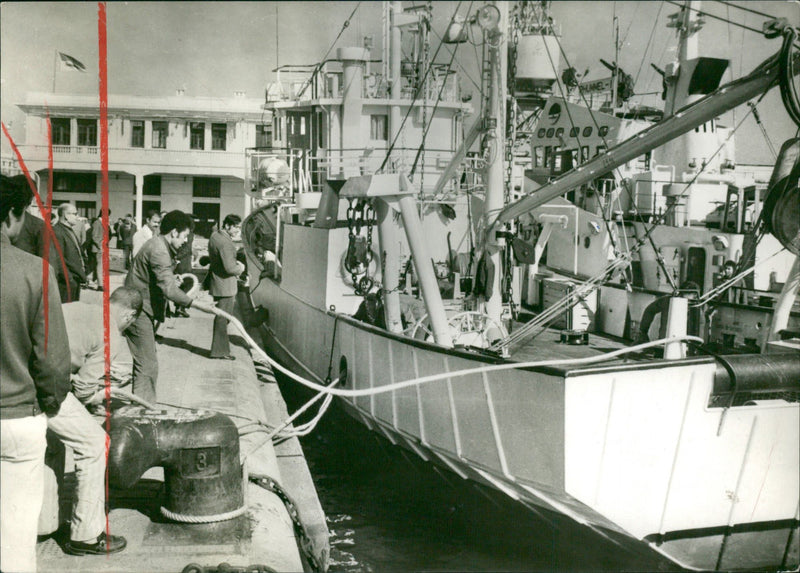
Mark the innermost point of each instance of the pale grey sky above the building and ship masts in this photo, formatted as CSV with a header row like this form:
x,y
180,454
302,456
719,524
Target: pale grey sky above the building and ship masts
x,y
216,48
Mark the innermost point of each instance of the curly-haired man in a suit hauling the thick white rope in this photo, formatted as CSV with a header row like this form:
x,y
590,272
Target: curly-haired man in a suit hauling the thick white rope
x,y
152,275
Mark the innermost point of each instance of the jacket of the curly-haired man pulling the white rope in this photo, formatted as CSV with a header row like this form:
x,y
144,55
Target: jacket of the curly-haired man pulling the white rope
x,y
152,275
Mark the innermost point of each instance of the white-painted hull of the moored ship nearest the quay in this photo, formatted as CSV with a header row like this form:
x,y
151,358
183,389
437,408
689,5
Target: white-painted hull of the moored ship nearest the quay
x,y
633,452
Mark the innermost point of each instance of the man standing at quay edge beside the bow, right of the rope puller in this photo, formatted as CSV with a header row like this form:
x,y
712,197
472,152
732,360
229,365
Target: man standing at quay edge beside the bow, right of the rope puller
x,y
224,270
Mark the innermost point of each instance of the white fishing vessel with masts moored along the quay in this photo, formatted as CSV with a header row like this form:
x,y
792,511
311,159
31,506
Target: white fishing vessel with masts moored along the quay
x,y
393,266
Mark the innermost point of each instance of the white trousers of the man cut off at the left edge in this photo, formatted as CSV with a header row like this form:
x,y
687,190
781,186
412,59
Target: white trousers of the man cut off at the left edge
x,y
22,447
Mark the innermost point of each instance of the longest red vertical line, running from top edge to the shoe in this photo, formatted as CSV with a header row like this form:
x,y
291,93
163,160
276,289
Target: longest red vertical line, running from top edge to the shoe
x,y
103,71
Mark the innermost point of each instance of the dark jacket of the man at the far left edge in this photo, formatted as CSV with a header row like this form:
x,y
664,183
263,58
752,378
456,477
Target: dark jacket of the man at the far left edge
x,y
34,372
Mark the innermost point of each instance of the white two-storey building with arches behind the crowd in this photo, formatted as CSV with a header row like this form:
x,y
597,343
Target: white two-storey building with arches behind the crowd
x,y
164,153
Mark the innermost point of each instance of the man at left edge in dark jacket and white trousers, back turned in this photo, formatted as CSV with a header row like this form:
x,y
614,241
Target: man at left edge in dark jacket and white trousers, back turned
x,y
34,380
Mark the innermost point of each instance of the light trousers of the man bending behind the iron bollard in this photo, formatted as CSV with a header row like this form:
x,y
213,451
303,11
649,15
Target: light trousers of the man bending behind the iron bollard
x,y
76,428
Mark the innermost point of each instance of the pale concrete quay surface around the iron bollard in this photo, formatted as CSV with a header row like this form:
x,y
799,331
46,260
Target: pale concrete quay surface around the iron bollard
x,y
265,534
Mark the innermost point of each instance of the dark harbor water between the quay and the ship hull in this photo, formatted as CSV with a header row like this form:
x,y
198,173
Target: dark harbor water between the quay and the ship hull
x,y
389,511
